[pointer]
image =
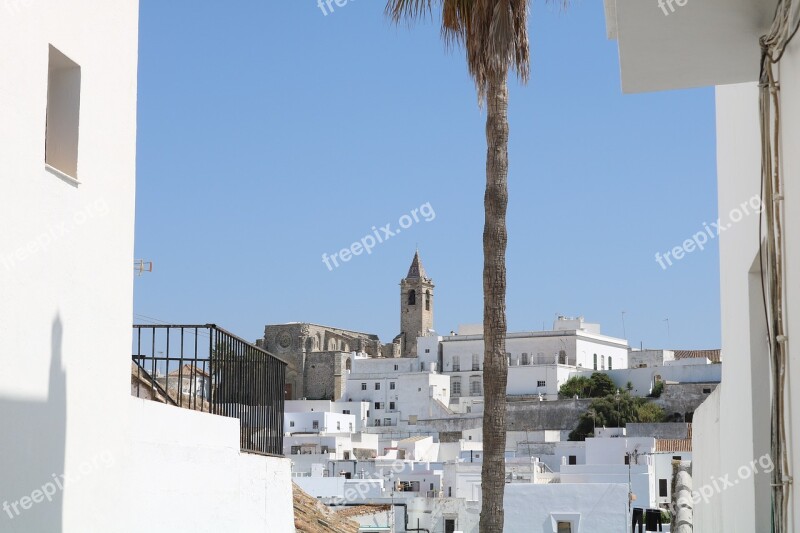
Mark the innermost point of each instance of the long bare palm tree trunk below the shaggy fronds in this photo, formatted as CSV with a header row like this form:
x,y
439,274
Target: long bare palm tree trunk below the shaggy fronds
x,y
495,365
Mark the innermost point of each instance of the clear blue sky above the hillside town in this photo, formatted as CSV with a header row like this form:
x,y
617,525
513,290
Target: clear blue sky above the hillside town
x,y
270,134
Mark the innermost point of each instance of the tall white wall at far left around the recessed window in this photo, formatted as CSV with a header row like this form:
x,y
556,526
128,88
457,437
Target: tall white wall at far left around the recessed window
x,y
66,264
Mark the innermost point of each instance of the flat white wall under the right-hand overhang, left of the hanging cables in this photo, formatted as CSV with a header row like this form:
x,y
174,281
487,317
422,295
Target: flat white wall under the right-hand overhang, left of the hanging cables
x,y
744,422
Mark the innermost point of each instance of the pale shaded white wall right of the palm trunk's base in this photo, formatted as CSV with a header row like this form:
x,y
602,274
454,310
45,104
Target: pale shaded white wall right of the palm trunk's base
x,y
595,508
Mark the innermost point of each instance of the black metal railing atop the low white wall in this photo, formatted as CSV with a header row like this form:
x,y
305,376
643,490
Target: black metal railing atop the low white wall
x,y
208,369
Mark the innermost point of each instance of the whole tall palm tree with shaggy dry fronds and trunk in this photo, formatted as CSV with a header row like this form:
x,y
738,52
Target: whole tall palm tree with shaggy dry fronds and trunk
x,y
494,34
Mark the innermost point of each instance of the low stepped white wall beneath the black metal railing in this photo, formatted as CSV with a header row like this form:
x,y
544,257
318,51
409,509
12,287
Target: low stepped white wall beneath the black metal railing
x,y
185,472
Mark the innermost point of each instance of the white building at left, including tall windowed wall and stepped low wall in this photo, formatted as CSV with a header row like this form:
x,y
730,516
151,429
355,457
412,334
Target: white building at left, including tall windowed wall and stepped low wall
x,y
68,150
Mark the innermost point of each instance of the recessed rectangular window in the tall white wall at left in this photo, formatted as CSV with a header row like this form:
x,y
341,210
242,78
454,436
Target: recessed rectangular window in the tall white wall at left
x,y
63,114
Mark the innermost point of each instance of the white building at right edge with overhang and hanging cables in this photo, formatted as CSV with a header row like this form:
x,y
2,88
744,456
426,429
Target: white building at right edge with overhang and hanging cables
x,y
732,428
